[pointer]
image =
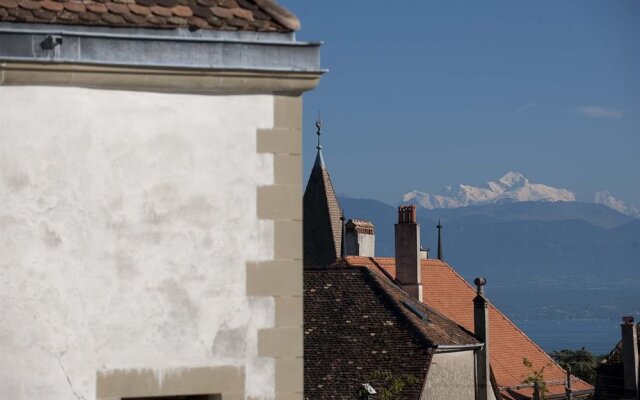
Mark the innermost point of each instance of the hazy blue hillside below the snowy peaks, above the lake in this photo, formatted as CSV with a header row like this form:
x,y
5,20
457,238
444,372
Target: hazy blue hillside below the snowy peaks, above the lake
x,y
542,260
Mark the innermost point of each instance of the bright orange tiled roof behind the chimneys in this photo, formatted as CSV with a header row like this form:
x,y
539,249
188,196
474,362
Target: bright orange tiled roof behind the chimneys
x,y
447,292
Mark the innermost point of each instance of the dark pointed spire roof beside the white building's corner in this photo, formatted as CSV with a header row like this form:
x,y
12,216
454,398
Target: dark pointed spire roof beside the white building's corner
x,y
322,224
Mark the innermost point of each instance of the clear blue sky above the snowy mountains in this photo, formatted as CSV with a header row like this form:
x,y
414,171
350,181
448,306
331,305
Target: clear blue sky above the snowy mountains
x,y
425,94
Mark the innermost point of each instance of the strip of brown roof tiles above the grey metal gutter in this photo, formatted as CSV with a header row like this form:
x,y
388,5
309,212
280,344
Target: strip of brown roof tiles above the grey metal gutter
x,y
248,15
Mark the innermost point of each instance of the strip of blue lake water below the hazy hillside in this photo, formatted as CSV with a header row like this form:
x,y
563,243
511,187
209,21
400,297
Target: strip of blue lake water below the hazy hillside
x,y
596,335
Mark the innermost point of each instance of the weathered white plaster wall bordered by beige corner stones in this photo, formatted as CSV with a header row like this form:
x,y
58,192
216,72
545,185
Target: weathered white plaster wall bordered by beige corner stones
x,y
126,222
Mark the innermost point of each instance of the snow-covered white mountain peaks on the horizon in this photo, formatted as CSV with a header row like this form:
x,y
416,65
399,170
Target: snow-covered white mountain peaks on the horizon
x,y
512,187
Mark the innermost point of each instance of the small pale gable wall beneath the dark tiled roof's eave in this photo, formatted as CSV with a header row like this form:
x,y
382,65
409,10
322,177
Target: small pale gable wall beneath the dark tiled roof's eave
x,y
451,376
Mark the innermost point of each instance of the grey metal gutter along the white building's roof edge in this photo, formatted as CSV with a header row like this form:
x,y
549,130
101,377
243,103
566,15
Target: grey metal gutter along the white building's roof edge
x,y
253,51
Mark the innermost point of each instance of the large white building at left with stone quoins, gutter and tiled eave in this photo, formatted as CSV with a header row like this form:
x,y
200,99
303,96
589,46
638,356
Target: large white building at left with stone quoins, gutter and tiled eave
x,y
151,228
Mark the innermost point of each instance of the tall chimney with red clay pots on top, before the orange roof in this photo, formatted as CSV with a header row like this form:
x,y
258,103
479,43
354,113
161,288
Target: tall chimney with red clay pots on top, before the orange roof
x,y
408,274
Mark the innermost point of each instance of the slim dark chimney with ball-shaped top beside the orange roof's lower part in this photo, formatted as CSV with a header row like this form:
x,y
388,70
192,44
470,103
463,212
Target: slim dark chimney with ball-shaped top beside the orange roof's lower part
x,y
481,330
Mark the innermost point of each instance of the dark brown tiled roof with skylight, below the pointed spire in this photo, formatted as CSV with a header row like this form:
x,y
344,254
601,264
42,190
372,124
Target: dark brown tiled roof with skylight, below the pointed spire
x,y
360,327
